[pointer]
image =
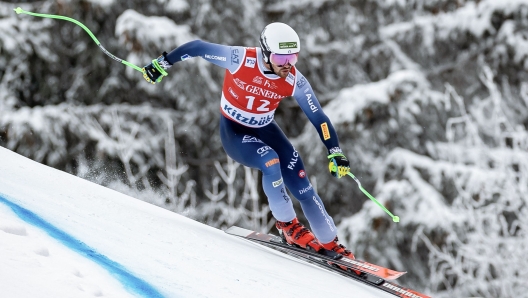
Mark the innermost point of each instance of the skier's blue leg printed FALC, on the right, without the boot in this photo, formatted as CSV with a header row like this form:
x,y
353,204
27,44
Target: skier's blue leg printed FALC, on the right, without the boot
x,y
296,180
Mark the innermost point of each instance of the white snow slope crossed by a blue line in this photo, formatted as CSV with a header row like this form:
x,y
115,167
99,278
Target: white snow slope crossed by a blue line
x,y
61,236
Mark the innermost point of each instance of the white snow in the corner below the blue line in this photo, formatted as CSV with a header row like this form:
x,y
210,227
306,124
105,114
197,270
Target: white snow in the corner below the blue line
x,y
43,257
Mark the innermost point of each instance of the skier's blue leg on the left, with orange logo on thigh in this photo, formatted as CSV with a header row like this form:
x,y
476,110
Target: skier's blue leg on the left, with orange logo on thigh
x,y
242,144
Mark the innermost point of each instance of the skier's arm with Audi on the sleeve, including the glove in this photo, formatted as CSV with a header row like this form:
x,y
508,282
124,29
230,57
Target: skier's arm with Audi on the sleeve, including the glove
x,y
305,97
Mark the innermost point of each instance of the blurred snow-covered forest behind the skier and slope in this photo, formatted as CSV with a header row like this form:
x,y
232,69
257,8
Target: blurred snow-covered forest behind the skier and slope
x,y
429,97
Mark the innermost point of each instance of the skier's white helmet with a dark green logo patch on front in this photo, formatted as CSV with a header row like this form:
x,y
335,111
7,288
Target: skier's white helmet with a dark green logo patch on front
x,y
279,38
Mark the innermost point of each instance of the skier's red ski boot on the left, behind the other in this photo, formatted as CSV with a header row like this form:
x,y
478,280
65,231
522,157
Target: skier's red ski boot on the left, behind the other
x,y
296,234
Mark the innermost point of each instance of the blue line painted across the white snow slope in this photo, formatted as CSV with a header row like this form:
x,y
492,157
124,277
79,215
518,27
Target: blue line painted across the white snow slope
x,y
129,281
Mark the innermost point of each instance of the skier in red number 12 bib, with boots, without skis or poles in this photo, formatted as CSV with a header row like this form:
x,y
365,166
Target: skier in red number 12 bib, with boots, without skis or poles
x,y
256,80
